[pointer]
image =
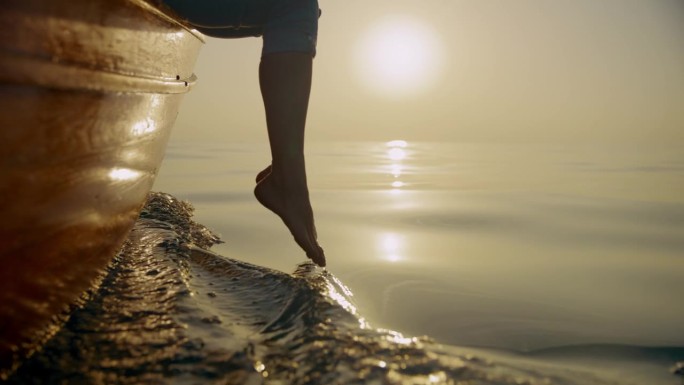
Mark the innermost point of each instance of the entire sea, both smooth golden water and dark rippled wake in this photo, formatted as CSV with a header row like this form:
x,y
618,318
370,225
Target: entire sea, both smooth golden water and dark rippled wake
x,y
448,263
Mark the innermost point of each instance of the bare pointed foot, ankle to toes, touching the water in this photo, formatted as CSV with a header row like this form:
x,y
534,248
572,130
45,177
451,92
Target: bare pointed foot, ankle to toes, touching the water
x,y
289,199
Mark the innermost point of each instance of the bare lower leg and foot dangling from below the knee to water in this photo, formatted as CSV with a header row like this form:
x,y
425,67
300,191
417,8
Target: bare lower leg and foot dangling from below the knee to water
x,y
285,80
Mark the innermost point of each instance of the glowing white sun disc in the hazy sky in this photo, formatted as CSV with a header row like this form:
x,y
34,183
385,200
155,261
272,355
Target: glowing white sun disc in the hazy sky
x,y
398,56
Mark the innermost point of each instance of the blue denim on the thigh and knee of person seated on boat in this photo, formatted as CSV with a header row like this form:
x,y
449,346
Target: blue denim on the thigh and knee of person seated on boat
x,y
285,25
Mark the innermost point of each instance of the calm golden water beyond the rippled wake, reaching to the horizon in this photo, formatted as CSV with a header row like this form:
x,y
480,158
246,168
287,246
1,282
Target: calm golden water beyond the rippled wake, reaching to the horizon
x,y
516,247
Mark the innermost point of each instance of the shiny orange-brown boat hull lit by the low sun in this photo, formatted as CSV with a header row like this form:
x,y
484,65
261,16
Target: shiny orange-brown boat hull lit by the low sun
x,y
89,92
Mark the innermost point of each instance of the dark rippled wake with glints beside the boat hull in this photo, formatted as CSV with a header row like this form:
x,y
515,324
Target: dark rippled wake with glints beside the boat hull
x,y
171,311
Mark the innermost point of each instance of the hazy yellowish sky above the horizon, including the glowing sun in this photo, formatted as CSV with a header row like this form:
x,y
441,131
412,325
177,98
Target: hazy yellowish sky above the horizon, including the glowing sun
x,y
466,70
